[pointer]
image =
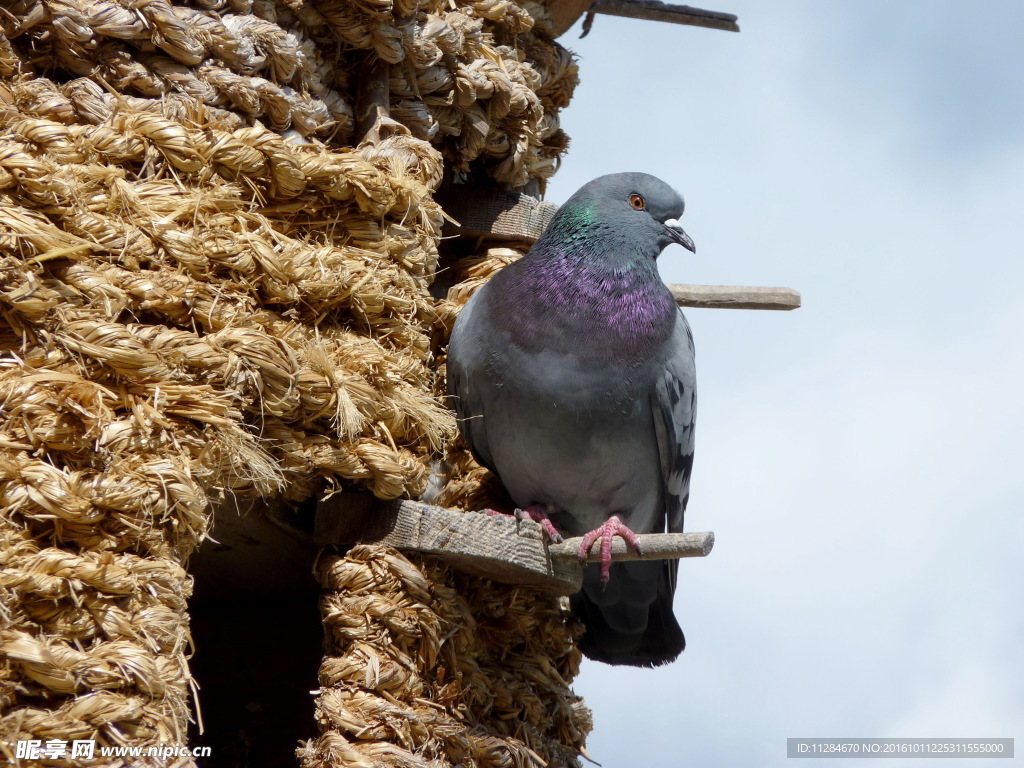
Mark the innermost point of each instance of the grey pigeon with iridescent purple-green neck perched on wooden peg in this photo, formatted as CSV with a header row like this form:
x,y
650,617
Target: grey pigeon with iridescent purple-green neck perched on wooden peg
x,y
572,373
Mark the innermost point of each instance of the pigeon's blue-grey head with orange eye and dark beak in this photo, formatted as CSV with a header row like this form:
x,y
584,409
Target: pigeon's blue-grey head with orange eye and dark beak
x,y
639,204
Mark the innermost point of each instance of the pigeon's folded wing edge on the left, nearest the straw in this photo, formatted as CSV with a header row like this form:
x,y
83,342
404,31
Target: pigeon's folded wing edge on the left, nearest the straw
x,y
465,366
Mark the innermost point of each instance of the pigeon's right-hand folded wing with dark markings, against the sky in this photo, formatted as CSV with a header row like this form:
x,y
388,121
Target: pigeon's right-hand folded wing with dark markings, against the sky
x,y
674,404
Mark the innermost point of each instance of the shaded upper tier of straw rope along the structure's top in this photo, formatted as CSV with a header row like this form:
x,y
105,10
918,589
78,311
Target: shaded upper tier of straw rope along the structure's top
x,y
482,80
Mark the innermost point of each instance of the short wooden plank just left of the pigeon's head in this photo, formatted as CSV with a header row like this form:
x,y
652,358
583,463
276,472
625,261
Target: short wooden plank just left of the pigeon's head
x,y
484,212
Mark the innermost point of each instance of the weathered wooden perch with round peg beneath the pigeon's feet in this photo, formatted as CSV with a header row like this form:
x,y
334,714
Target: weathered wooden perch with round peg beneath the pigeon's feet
x,y
498,547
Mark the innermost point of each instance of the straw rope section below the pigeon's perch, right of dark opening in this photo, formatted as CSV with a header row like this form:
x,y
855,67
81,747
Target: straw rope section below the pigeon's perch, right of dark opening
x,y
430,668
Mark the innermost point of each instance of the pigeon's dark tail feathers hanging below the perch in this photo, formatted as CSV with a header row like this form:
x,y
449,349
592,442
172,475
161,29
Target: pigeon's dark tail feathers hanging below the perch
x,y
631,621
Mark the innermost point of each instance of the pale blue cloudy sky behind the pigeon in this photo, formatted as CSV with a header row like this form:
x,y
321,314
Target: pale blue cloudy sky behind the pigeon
x,y
859,459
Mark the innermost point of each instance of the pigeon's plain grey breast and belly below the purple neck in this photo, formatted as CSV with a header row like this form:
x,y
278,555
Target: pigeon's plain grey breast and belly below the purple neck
x,y
560,432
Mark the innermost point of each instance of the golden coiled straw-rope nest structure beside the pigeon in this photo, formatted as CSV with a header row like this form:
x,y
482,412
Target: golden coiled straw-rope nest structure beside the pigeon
x,y
215,284
